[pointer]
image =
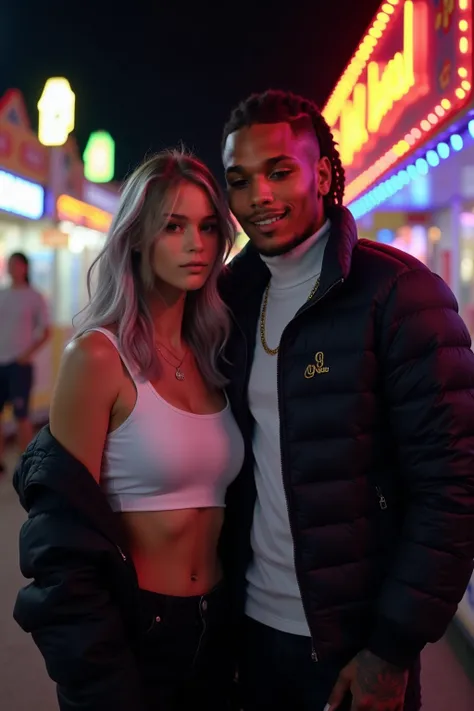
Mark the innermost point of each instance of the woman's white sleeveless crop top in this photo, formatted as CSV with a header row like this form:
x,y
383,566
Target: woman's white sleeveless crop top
x,y
162,458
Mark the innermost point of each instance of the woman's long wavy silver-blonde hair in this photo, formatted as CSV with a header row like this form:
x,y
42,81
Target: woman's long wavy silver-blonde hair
x,y
122,273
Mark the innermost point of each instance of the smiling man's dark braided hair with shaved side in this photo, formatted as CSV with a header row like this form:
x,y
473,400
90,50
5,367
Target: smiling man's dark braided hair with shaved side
x,y
278,107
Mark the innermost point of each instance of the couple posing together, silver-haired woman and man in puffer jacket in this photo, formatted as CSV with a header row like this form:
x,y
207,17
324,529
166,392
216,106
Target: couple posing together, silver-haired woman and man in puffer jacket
x,y
257,486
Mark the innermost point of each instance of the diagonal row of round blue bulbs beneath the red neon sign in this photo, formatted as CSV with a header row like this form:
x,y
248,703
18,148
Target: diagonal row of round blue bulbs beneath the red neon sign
x,y
422,166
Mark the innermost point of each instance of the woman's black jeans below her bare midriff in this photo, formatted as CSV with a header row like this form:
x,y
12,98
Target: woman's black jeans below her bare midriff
x,y
182,655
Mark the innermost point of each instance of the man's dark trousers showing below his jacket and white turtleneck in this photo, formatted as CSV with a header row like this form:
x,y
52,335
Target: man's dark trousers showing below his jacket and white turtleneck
x,y
276,673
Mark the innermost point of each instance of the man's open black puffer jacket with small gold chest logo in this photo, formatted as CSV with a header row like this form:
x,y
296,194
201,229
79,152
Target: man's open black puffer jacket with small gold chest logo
x,y
377,450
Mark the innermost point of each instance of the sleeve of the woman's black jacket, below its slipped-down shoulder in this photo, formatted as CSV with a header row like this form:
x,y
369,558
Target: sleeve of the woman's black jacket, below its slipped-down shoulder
x,y
73,620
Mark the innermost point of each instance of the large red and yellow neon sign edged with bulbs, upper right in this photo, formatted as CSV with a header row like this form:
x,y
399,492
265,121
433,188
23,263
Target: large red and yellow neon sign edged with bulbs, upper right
x,y
349,102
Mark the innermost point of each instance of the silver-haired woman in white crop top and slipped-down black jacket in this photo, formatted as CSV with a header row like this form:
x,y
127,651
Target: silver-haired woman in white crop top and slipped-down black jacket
x,y
127,604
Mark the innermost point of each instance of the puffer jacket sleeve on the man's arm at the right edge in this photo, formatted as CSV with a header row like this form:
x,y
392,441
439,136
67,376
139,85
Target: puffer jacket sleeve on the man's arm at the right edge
x,y
428,380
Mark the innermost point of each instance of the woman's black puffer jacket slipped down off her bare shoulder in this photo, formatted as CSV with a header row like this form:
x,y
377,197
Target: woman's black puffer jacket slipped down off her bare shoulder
x,y
81,607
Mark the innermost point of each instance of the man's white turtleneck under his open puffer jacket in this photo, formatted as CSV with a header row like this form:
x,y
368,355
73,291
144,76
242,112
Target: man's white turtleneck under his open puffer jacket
x,y
273,596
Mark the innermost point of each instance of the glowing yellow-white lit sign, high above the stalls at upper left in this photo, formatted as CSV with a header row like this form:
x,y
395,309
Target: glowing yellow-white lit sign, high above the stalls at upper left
x,y
56,112
